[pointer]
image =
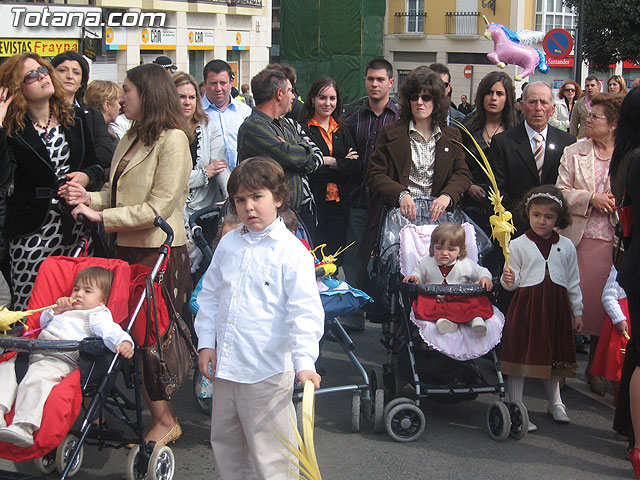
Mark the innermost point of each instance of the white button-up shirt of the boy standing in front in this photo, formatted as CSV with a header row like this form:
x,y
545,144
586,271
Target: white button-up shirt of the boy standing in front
x,y
260,307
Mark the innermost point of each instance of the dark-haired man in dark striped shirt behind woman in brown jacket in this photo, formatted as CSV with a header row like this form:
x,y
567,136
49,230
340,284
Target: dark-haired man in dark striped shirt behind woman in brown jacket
x,y
365,124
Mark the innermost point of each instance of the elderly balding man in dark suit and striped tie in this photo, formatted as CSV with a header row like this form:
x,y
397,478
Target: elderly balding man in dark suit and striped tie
x,y
529,154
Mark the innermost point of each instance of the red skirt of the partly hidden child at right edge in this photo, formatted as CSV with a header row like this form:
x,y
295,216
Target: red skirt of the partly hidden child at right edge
x,y
609,355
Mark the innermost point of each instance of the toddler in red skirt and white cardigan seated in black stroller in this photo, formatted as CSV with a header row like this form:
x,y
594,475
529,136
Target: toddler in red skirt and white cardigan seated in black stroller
x,y
447,264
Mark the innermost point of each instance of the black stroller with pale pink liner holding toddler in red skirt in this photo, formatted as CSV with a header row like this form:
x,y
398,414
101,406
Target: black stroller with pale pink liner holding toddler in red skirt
x,y
416,359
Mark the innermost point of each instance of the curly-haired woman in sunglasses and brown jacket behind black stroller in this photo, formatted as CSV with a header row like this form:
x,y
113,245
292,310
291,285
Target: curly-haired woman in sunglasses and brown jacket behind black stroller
x,y
417,156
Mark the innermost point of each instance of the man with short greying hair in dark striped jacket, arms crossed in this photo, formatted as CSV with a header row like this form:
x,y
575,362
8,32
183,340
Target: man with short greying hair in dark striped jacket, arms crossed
x,y
266,132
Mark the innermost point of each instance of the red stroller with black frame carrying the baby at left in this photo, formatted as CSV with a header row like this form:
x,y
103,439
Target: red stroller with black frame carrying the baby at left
x,y
56,444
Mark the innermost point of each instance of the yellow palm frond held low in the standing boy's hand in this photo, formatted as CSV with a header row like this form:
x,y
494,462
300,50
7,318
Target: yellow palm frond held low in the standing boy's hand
x,y
304,454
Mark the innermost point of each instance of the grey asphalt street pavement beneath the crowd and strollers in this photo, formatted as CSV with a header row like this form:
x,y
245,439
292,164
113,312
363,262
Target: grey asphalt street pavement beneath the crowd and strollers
x,y
455,444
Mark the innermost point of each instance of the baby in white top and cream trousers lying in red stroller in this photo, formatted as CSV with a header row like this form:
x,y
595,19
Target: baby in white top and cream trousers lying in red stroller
x,y
81,315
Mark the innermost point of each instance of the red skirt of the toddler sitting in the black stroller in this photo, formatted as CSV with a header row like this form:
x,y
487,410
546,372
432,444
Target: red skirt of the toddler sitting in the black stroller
x,y
458,309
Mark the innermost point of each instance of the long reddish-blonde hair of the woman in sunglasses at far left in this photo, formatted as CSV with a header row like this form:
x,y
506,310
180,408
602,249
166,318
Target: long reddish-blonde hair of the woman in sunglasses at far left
x,y
11,78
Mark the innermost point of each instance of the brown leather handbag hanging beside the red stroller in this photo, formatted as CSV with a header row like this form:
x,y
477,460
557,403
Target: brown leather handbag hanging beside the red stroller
x,y
166,363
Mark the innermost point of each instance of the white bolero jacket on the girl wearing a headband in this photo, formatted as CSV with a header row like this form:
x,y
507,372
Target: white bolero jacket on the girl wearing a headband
x,y
528,265
